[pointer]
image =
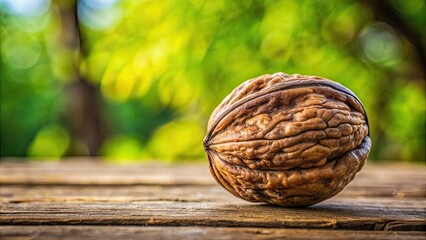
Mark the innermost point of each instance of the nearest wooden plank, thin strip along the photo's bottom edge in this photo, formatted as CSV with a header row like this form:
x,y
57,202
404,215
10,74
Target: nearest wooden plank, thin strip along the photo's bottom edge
x,y
172,233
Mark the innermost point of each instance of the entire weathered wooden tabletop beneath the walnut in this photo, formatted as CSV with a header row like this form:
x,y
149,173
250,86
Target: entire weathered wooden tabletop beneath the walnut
x,y
94,200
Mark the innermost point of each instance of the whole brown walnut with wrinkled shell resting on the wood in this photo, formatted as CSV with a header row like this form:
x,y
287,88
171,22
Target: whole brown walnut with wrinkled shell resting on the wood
x,y
290,140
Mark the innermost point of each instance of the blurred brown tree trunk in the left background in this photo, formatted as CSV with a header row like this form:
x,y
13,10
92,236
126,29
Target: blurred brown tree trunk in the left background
x,y
83,113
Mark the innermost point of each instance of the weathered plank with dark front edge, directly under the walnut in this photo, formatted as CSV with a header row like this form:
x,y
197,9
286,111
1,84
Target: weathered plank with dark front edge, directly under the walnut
x,y
360,213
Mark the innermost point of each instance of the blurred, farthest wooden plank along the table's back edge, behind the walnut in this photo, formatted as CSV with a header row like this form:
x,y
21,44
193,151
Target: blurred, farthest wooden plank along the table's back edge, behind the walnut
x,y
100,173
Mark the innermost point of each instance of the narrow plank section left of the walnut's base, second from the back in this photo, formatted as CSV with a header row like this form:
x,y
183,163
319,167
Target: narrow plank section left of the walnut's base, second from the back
x,y
20,194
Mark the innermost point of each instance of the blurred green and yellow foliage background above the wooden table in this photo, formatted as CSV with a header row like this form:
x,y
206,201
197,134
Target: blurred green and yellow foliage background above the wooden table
x,y
134,80
